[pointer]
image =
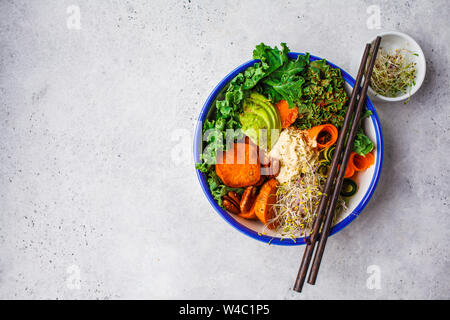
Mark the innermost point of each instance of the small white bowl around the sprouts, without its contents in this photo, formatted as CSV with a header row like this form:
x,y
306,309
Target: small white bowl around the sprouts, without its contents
x,y
392,40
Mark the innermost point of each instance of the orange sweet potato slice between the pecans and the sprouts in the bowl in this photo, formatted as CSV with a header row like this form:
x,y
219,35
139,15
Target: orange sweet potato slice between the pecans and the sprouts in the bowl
x,y
264,202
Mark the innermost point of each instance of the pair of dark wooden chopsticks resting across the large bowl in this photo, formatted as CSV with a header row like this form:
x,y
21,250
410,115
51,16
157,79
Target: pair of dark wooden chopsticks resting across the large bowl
x,y
333,184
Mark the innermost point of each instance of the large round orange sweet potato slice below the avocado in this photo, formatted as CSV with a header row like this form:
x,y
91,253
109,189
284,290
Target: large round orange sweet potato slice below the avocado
x,y
239,166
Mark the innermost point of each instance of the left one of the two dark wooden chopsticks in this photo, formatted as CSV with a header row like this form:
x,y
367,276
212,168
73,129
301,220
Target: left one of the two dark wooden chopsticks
x,y
301,276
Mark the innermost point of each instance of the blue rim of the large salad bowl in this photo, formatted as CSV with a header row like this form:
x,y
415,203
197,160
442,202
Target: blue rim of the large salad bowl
x,y
249,232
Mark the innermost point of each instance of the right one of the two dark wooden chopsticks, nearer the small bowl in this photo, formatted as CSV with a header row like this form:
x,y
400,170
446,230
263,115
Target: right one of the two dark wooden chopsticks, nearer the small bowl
x,y
340,178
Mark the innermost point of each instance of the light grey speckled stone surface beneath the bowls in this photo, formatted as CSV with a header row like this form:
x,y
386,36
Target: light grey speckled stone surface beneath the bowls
x,y
97,181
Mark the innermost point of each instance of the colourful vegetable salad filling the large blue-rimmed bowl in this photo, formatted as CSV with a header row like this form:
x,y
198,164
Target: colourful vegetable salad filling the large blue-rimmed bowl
x,y
269,142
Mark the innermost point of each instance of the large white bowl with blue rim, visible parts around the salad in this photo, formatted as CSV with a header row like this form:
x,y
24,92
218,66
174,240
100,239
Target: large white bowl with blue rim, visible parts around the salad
x,y
366,181
